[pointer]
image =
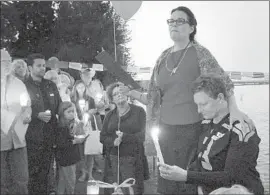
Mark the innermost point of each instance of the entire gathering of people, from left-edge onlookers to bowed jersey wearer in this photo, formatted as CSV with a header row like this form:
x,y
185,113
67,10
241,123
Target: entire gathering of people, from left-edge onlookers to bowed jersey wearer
x,y
48,122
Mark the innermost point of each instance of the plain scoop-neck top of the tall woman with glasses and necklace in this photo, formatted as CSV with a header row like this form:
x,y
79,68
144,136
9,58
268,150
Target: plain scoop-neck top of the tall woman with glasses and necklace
x,y
177,105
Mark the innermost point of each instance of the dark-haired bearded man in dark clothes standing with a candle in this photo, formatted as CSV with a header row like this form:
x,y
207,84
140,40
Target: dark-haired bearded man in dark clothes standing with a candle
x,y
40,135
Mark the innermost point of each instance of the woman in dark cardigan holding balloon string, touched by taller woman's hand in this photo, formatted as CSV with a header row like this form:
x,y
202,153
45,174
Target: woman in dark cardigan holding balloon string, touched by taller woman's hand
x,y
123,134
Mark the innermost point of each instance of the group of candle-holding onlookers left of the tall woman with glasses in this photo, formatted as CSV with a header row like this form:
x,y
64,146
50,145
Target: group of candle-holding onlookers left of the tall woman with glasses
x,y
59,121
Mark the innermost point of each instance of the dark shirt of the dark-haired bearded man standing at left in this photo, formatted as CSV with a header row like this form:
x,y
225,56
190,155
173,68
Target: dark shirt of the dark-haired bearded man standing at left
x,y
44,96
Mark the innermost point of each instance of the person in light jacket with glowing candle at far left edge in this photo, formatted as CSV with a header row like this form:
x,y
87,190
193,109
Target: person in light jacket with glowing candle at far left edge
x,y
15,116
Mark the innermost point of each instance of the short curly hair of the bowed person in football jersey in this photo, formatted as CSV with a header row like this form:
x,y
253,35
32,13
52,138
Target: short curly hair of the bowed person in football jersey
x,y
212,84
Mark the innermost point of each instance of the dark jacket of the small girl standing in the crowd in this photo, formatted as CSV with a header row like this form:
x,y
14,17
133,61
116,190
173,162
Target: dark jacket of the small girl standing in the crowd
x,y
67,153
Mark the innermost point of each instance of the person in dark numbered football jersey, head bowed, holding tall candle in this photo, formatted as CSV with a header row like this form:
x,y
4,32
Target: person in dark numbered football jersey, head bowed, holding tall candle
x,y
225,155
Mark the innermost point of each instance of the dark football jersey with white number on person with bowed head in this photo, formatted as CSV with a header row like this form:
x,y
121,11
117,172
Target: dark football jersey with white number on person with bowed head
x,y
226,157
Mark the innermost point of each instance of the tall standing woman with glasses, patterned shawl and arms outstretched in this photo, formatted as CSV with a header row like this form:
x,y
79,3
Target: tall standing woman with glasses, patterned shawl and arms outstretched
x,y
169,100
